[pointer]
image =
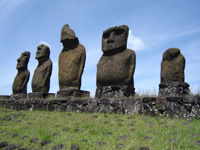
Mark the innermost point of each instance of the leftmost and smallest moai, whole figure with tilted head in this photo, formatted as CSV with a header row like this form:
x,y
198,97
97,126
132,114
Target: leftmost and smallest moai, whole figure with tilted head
x,y
20,82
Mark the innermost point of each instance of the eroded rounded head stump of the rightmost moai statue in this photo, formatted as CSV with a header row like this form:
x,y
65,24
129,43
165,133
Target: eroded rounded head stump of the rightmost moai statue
x,y
171,53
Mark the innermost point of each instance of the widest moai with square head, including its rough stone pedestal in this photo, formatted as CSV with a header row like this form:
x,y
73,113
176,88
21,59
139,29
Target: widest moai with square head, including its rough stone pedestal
x,y
116,66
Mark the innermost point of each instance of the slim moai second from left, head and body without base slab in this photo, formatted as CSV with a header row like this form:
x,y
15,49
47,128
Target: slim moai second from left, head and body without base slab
x,y
42,74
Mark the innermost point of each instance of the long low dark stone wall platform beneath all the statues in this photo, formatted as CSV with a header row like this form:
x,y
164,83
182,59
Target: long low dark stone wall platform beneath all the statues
x,y
175,107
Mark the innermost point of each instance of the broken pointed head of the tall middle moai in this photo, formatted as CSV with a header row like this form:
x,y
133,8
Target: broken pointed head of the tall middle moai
x,y
67,33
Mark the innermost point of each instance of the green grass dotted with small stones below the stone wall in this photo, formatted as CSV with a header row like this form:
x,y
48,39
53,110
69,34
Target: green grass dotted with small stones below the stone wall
x,y
97,131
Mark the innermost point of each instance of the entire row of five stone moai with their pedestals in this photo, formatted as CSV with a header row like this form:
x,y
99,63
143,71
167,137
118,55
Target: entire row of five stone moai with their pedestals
x,y
115,69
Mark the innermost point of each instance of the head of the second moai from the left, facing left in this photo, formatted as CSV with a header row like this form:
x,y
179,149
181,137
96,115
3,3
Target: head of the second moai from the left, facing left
x,y
43,51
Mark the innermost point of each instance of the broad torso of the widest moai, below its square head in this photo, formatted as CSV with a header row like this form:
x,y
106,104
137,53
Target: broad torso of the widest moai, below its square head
x,y
114,70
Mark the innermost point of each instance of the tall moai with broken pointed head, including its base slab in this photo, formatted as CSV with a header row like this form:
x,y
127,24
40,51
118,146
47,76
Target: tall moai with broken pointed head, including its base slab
x,y
71,64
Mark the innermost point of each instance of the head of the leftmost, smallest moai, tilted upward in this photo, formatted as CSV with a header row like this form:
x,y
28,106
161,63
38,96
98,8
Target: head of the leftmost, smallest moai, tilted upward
x,y
23,60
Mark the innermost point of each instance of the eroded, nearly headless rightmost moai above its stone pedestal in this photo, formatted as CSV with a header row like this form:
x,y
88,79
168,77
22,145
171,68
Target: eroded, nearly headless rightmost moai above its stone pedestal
x,y
172,66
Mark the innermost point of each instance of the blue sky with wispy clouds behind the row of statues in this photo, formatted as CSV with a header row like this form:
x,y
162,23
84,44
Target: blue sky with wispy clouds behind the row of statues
x,y
154,27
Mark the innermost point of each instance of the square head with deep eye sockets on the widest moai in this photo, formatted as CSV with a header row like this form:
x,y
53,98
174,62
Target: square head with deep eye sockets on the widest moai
x,y
114,38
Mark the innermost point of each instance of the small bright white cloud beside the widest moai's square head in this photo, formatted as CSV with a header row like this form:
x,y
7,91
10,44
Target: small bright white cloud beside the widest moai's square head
x,y
135,43
